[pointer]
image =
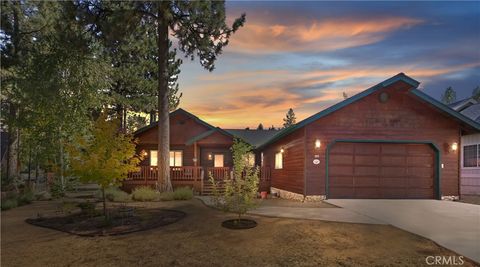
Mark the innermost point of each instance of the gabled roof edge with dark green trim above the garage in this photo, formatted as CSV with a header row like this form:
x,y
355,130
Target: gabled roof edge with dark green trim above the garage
x,y
399,77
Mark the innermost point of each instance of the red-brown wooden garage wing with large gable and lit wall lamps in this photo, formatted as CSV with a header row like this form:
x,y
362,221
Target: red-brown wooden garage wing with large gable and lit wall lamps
x,y
389,141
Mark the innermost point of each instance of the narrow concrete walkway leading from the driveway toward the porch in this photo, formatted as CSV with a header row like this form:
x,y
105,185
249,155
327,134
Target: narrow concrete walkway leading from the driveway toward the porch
x,y
309,213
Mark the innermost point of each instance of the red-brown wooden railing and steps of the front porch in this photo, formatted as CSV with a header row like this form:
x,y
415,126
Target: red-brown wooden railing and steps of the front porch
x,y
196,177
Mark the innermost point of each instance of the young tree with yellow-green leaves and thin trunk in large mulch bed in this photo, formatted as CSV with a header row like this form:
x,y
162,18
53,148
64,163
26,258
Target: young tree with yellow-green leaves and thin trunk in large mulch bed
x,y
105,156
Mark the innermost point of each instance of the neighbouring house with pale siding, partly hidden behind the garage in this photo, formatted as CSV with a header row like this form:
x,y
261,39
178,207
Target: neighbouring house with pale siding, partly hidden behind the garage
x,y
469,149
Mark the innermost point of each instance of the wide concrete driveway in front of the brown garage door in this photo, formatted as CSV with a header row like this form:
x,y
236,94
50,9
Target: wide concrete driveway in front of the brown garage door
x,y
453,225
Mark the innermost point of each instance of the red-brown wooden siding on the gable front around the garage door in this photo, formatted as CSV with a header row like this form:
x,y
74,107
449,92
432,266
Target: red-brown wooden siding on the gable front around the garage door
x,y
402,117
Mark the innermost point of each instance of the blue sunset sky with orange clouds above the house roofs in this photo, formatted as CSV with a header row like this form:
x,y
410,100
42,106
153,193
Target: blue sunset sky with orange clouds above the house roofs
x,y
304,55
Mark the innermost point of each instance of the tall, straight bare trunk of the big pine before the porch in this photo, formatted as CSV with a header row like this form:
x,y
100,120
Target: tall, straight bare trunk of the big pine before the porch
x,y
163,105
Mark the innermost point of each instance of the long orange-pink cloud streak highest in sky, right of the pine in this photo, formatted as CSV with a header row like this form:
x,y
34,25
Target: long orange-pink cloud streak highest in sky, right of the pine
x,y
315,36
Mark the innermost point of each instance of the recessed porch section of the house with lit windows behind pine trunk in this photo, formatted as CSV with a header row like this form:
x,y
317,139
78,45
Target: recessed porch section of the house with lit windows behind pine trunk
x,y
198,150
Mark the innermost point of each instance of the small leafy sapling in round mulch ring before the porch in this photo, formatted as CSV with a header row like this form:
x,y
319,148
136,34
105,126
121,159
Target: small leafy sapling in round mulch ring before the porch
x,y
241,189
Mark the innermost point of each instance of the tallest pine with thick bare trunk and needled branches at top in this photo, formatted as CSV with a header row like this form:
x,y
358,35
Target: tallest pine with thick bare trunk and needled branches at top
x,y
199,27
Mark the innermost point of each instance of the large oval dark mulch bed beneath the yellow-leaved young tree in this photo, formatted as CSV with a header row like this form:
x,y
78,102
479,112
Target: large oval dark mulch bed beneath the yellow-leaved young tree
x,y
85,225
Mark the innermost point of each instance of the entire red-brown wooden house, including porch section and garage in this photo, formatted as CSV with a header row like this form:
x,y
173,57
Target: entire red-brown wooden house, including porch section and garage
x,y
389,141
